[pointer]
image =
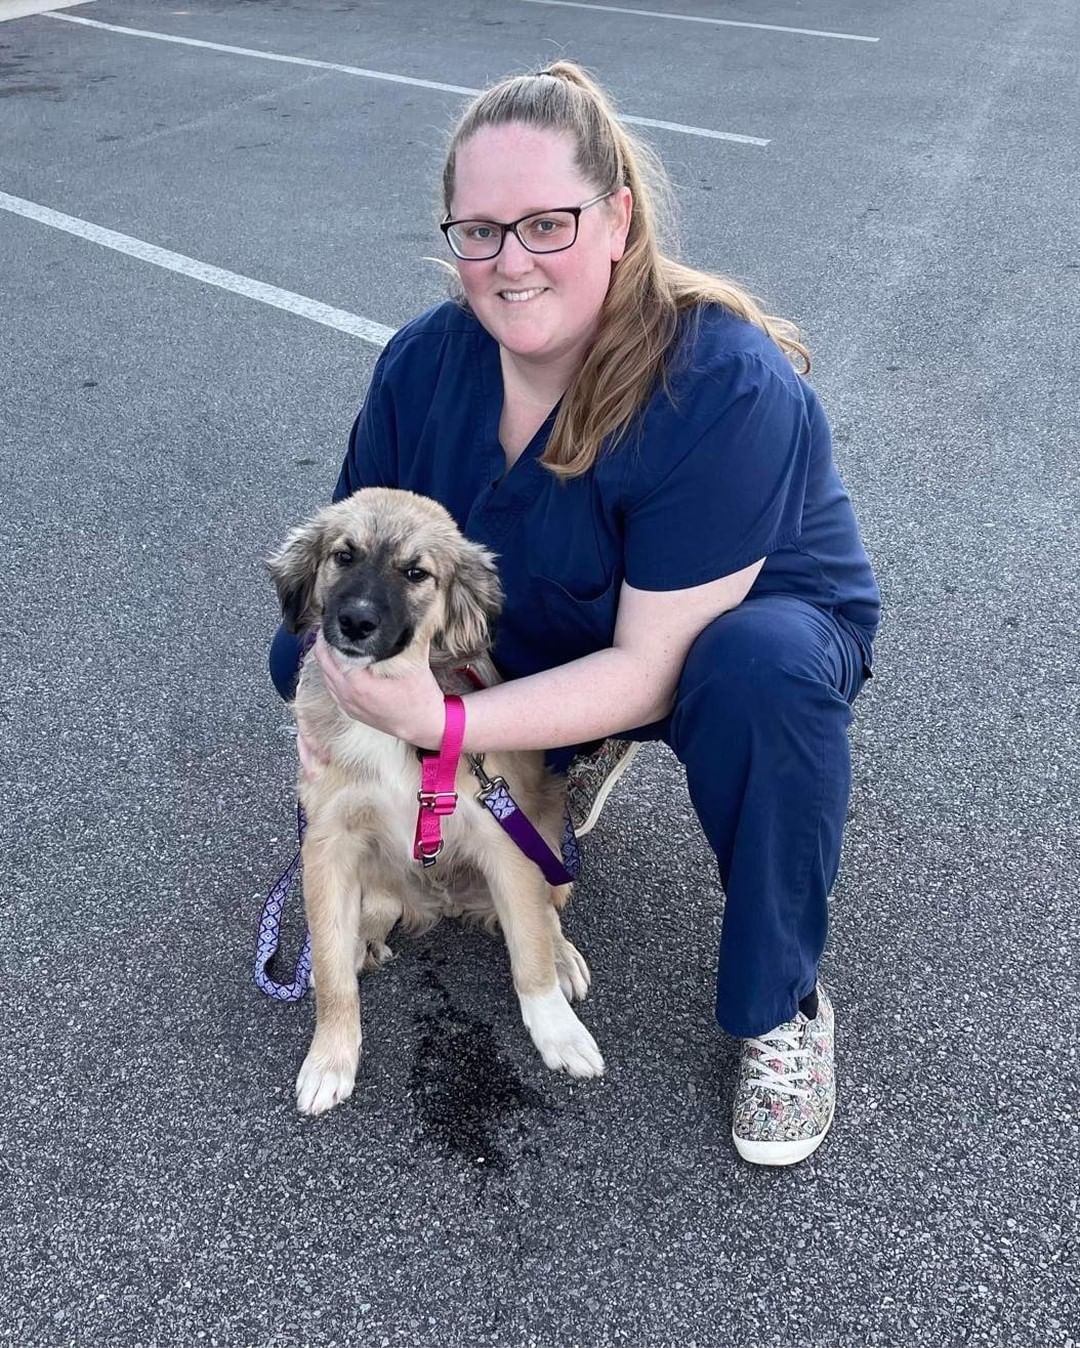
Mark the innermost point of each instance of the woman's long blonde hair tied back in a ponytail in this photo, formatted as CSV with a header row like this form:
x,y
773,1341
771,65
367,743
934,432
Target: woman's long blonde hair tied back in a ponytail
x,y
648,290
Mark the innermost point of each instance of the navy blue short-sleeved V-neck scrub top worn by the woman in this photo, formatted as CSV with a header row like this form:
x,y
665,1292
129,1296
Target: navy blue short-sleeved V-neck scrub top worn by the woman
x,y
734,466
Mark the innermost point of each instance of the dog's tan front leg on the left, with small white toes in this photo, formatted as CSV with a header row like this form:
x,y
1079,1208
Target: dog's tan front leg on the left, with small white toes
x,y
332,901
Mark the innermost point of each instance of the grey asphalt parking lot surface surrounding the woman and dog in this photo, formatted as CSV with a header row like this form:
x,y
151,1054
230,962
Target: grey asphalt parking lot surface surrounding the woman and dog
x,y
916,211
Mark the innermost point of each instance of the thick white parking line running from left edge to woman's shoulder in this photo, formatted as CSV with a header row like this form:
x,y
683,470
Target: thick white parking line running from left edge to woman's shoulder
x,y
300,305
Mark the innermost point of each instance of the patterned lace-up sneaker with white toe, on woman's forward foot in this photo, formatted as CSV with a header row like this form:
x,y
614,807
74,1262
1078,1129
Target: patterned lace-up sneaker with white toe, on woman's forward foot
x,y
787,1090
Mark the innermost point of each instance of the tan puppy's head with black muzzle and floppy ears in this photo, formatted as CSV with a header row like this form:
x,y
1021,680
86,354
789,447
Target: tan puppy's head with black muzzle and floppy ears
x,y
385,571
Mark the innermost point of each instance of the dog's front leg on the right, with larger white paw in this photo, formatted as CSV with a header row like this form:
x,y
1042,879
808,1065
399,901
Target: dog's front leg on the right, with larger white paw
x,y
524,902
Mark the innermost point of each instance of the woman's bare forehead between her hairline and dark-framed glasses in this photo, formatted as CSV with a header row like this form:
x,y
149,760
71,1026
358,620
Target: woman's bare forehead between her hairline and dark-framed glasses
x,y
502,173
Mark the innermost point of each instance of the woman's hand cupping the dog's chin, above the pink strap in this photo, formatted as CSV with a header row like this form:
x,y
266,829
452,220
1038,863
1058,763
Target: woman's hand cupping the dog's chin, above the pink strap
x,y
408,707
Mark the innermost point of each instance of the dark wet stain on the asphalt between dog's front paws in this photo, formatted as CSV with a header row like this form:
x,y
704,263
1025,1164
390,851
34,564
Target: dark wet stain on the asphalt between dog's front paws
x,y
464,1095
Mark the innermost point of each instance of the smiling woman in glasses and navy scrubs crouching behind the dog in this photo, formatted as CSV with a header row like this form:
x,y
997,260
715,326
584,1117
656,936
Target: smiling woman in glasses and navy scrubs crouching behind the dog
x,y
679,555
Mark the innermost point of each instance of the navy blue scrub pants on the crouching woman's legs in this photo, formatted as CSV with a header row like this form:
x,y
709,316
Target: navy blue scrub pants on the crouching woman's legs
x,y
761,725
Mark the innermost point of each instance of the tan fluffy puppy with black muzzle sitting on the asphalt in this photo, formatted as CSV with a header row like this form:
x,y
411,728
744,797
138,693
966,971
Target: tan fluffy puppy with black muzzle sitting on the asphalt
x,y
390,580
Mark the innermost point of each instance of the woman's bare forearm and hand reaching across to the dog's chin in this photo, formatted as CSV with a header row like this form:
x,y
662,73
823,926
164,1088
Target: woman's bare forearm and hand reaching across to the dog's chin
x,y
629,685
